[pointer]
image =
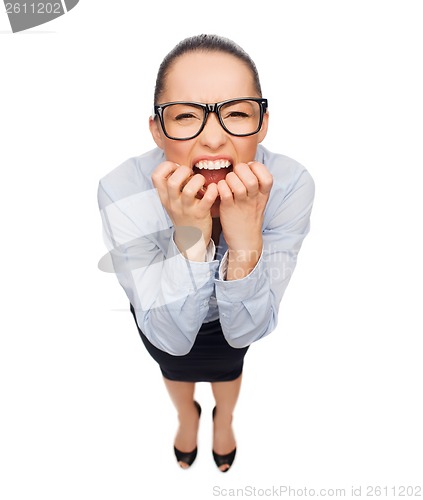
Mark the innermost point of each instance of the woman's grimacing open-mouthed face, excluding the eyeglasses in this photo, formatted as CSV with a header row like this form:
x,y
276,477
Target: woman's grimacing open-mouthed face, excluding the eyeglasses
x,y
208,77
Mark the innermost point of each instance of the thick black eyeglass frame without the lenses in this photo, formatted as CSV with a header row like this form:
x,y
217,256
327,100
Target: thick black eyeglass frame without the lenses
x,y
210,108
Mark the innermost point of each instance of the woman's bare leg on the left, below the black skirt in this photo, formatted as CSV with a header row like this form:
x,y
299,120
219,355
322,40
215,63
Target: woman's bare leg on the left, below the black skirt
x,y
182,395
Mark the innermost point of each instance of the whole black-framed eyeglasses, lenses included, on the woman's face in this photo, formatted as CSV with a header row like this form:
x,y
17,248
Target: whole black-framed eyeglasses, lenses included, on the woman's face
x,y
183,120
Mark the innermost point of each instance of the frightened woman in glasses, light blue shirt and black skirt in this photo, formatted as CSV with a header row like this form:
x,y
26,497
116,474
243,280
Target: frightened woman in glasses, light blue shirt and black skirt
x,y
204,231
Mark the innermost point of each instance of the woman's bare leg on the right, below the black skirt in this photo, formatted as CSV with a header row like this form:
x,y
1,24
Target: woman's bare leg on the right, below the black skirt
x,y
226,396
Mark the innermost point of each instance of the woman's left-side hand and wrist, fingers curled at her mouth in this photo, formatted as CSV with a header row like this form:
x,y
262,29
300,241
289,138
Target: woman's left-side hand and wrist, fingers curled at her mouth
x,y
178,190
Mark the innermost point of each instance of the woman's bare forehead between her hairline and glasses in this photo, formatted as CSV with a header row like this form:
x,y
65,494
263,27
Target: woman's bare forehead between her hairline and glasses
x,y
208,77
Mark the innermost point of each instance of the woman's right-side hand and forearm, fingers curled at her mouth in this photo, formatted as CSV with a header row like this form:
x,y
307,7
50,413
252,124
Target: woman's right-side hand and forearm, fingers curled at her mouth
x,y
243,197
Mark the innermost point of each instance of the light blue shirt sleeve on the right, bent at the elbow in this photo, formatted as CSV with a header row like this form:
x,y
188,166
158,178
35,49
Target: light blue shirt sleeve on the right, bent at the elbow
x,y
248,307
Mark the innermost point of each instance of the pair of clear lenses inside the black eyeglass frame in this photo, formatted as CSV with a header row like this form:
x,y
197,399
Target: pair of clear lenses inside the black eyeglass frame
x,y
241,117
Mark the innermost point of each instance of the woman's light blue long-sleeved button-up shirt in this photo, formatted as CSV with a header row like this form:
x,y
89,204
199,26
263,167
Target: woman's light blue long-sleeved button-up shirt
x,y
173,296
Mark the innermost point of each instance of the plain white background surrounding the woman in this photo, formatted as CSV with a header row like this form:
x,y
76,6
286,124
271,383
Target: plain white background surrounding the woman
x,y
332,398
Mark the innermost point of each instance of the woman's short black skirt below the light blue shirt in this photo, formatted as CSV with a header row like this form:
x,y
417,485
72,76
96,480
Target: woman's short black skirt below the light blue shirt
x,y
211,358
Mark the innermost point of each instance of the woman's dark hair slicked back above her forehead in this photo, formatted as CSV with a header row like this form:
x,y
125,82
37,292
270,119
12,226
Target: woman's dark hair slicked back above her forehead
x,y
206,43
